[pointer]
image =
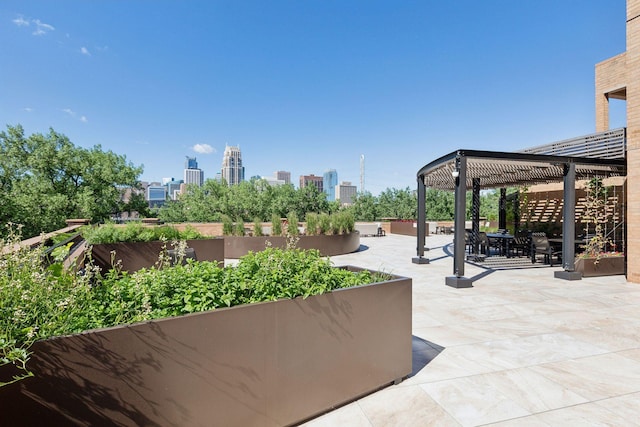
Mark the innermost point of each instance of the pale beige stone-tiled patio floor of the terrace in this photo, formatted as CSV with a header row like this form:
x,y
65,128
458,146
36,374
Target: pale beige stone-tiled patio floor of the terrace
x,y
520,348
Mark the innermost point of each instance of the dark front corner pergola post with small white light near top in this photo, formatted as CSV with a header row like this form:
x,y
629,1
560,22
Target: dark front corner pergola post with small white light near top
x,y
460,176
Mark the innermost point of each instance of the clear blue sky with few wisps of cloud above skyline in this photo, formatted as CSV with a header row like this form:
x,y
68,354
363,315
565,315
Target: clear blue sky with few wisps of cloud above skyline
x,y
309,85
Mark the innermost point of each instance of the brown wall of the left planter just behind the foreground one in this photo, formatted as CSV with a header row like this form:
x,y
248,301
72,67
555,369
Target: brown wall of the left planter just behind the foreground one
x,y
137,255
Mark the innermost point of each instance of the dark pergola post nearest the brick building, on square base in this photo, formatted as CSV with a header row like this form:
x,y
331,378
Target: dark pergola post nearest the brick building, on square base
x,y
569,225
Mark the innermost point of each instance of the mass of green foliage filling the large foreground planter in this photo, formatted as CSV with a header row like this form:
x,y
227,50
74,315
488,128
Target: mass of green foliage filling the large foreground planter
x,y
38,303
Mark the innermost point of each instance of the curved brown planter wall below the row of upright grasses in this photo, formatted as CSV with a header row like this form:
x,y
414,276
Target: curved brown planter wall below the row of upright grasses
x,y
329,245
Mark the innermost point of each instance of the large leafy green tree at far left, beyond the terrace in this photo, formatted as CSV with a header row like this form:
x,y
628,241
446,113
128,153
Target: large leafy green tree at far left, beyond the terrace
x,y
45,179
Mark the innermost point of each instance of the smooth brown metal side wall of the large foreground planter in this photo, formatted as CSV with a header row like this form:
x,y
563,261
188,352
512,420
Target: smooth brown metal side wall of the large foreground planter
x,y
266,364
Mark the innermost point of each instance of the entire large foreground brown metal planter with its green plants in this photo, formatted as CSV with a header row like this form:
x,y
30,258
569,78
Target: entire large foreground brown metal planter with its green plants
x,y
196,343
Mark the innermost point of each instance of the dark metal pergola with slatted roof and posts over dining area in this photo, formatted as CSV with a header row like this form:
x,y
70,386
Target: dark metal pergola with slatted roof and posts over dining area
x,y
472,169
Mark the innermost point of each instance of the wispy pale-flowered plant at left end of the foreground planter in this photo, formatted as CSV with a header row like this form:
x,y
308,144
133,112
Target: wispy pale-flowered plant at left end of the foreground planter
x,y
36,302
